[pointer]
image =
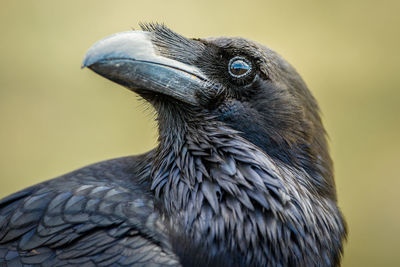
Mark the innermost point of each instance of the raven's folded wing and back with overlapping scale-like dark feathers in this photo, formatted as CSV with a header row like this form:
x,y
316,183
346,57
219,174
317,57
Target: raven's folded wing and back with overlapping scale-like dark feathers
x,y
92,216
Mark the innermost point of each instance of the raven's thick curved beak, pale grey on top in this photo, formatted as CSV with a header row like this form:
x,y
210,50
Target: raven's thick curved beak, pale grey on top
x,y
132,60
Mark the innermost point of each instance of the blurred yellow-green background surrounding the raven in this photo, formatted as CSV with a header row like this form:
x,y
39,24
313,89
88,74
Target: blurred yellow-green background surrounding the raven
x,y
55,117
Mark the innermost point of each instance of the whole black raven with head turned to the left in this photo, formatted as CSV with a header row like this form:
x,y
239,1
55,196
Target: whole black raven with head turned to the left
x,y
241,176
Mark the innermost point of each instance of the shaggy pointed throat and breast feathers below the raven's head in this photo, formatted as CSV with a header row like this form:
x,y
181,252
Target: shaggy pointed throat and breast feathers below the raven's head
x,y
225,194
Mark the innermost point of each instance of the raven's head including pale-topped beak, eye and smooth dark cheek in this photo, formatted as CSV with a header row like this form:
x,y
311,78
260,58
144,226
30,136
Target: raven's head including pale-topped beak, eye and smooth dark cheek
x,y
237,82
